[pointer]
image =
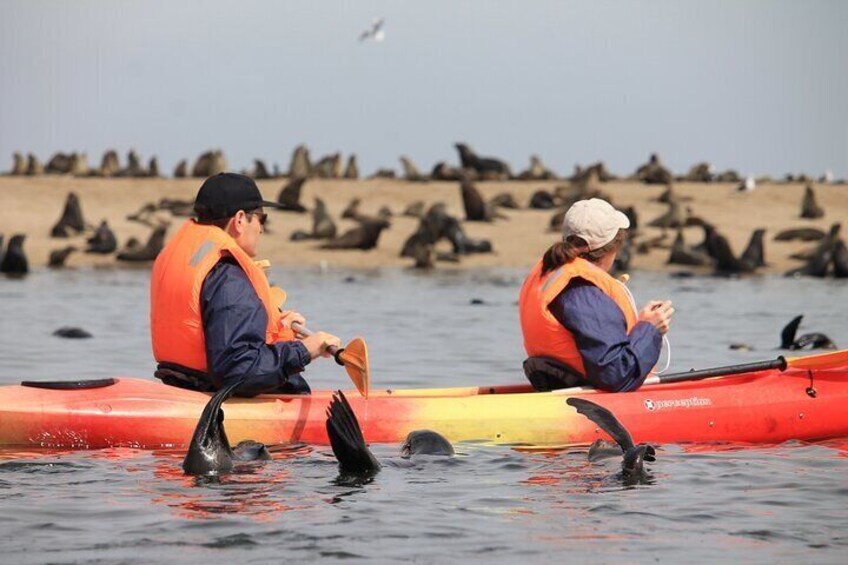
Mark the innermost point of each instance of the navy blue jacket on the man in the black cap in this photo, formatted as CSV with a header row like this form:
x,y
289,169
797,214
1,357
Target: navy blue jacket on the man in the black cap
x,y
234,323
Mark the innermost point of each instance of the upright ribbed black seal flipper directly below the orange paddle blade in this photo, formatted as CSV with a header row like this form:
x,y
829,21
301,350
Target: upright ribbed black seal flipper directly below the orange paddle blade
x,y
346,438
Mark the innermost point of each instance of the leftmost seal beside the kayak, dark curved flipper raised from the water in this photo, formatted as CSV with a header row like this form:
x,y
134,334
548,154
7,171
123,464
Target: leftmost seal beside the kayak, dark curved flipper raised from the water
x,y
209,453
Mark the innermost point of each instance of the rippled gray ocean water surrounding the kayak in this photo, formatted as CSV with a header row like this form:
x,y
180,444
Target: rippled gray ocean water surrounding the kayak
x,y
786,503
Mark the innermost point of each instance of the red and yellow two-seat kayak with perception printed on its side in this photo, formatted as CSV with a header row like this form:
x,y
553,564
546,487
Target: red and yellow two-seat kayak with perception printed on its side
x,y
768,406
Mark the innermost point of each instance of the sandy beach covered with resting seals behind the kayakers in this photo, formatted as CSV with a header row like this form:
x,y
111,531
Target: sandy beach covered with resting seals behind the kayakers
x,y
32,205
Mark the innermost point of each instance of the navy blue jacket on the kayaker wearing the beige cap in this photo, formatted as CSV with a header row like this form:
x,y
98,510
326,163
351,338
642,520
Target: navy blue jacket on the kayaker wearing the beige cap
x,y
613,360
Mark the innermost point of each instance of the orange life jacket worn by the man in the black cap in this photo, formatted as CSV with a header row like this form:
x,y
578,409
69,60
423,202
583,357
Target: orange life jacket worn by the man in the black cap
x,y
176,323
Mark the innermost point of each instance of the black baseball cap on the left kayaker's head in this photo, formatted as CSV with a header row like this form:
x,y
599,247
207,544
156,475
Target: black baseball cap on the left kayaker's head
x,y
222,195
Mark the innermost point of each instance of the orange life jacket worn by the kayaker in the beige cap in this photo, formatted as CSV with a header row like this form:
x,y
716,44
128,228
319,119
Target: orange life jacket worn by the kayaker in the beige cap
x,y
544,336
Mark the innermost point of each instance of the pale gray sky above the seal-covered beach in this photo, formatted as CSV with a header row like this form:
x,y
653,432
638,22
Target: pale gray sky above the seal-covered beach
x,y
761,87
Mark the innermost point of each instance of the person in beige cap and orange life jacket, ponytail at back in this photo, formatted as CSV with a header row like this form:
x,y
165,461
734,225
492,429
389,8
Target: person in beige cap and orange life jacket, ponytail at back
x,y
580,324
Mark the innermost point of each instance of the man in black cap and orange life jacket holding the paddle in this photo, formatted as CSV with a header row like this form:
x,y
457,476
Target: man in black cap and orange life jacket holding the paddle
x,y
213,316
